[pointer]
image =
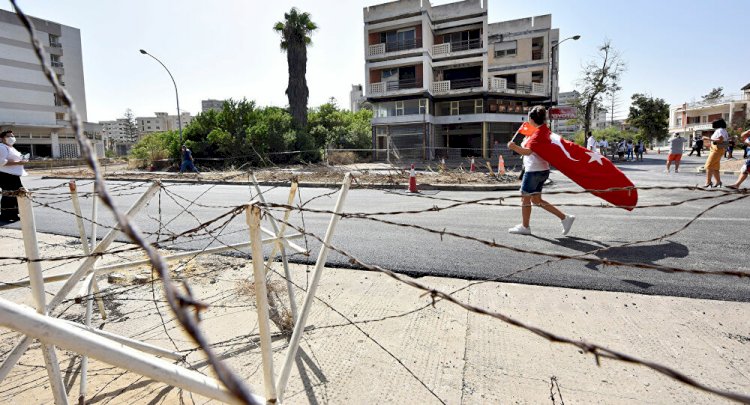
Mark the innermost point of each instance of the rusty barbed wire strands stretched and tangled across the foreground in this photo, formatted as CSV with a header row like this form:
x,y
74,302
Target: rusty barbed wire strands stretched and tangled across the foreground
x,y
186,307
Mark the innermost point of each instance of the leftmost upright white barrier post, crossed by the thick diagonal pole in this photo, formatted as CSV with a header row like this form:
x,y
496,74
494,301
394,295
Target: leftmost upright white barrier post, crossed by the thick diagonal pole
x,y
31,246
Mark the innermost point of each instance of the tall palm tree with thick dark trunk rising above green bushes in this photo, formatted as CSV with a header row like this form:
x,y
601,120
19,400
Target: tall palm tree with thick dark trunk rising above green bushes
x,y
295,33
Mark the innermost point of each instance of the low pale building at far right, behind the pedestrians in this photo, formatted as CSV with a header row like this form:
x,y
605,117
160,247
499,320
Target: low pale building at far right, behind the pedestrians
x,y
695,118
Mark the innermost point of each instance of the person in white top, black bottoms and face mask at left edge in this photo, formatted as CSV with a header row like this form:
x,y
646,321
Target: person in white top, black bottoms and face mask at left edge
x,y
11,170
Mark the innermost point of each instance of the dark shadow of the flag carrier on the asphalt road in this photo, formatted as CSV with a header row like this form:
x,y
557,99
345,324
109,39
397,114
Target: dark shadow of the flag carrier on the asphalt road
x,y
648,254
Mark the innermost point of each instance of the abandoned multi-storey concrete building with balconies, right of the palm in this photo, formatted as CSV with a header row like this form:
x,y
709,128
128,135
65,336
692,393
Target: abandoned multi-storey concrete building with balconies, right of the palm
x,y
444,82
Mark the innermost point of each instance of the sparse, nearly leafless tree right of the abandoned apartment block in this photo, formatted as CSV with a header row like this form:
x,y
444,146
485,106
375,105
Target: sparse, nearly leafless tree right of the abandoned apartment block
x,y
599,77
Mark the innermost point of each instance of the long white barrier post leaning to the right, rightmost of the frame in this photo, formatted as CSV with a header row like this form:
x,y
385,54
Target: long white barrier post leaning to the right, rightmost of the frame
x,y
299,327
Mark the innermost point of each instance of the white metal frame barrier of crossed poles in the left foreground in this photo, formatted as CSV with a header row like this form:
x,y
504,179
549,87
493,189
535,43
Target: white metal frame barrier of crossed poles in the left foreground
x,y
131,354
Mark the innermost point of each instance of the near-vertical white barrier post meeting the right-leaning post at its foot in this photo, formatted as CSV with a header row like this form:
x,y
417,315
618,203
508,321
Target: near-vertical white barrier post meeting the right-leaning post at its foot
x,y
261,300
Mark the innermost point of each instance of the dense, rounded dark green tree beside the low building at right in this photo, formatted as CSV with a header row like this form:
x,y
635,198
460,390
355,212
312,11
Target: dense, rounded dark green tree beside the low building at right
x,y
651,116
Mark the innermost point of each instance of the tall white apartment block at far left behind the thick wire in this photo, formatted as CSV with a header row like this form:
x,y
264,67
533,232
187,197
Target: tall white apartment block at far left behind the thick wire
x,y
28,104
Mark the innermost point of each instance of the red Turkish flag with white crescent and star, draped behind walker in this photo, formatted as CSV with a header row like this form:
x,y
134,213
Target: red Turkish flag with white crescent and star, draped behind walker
x,y
586,168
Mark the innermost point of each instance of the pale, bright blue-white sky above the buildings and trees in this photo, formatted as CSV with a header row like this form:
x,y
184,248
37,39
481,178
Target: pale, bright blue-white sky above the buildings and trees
x,y
675,49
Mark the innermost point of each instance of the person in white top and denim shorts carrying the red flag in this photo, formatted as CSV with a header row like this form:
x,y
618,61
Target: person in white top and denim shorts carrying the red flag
x,y
536,172
